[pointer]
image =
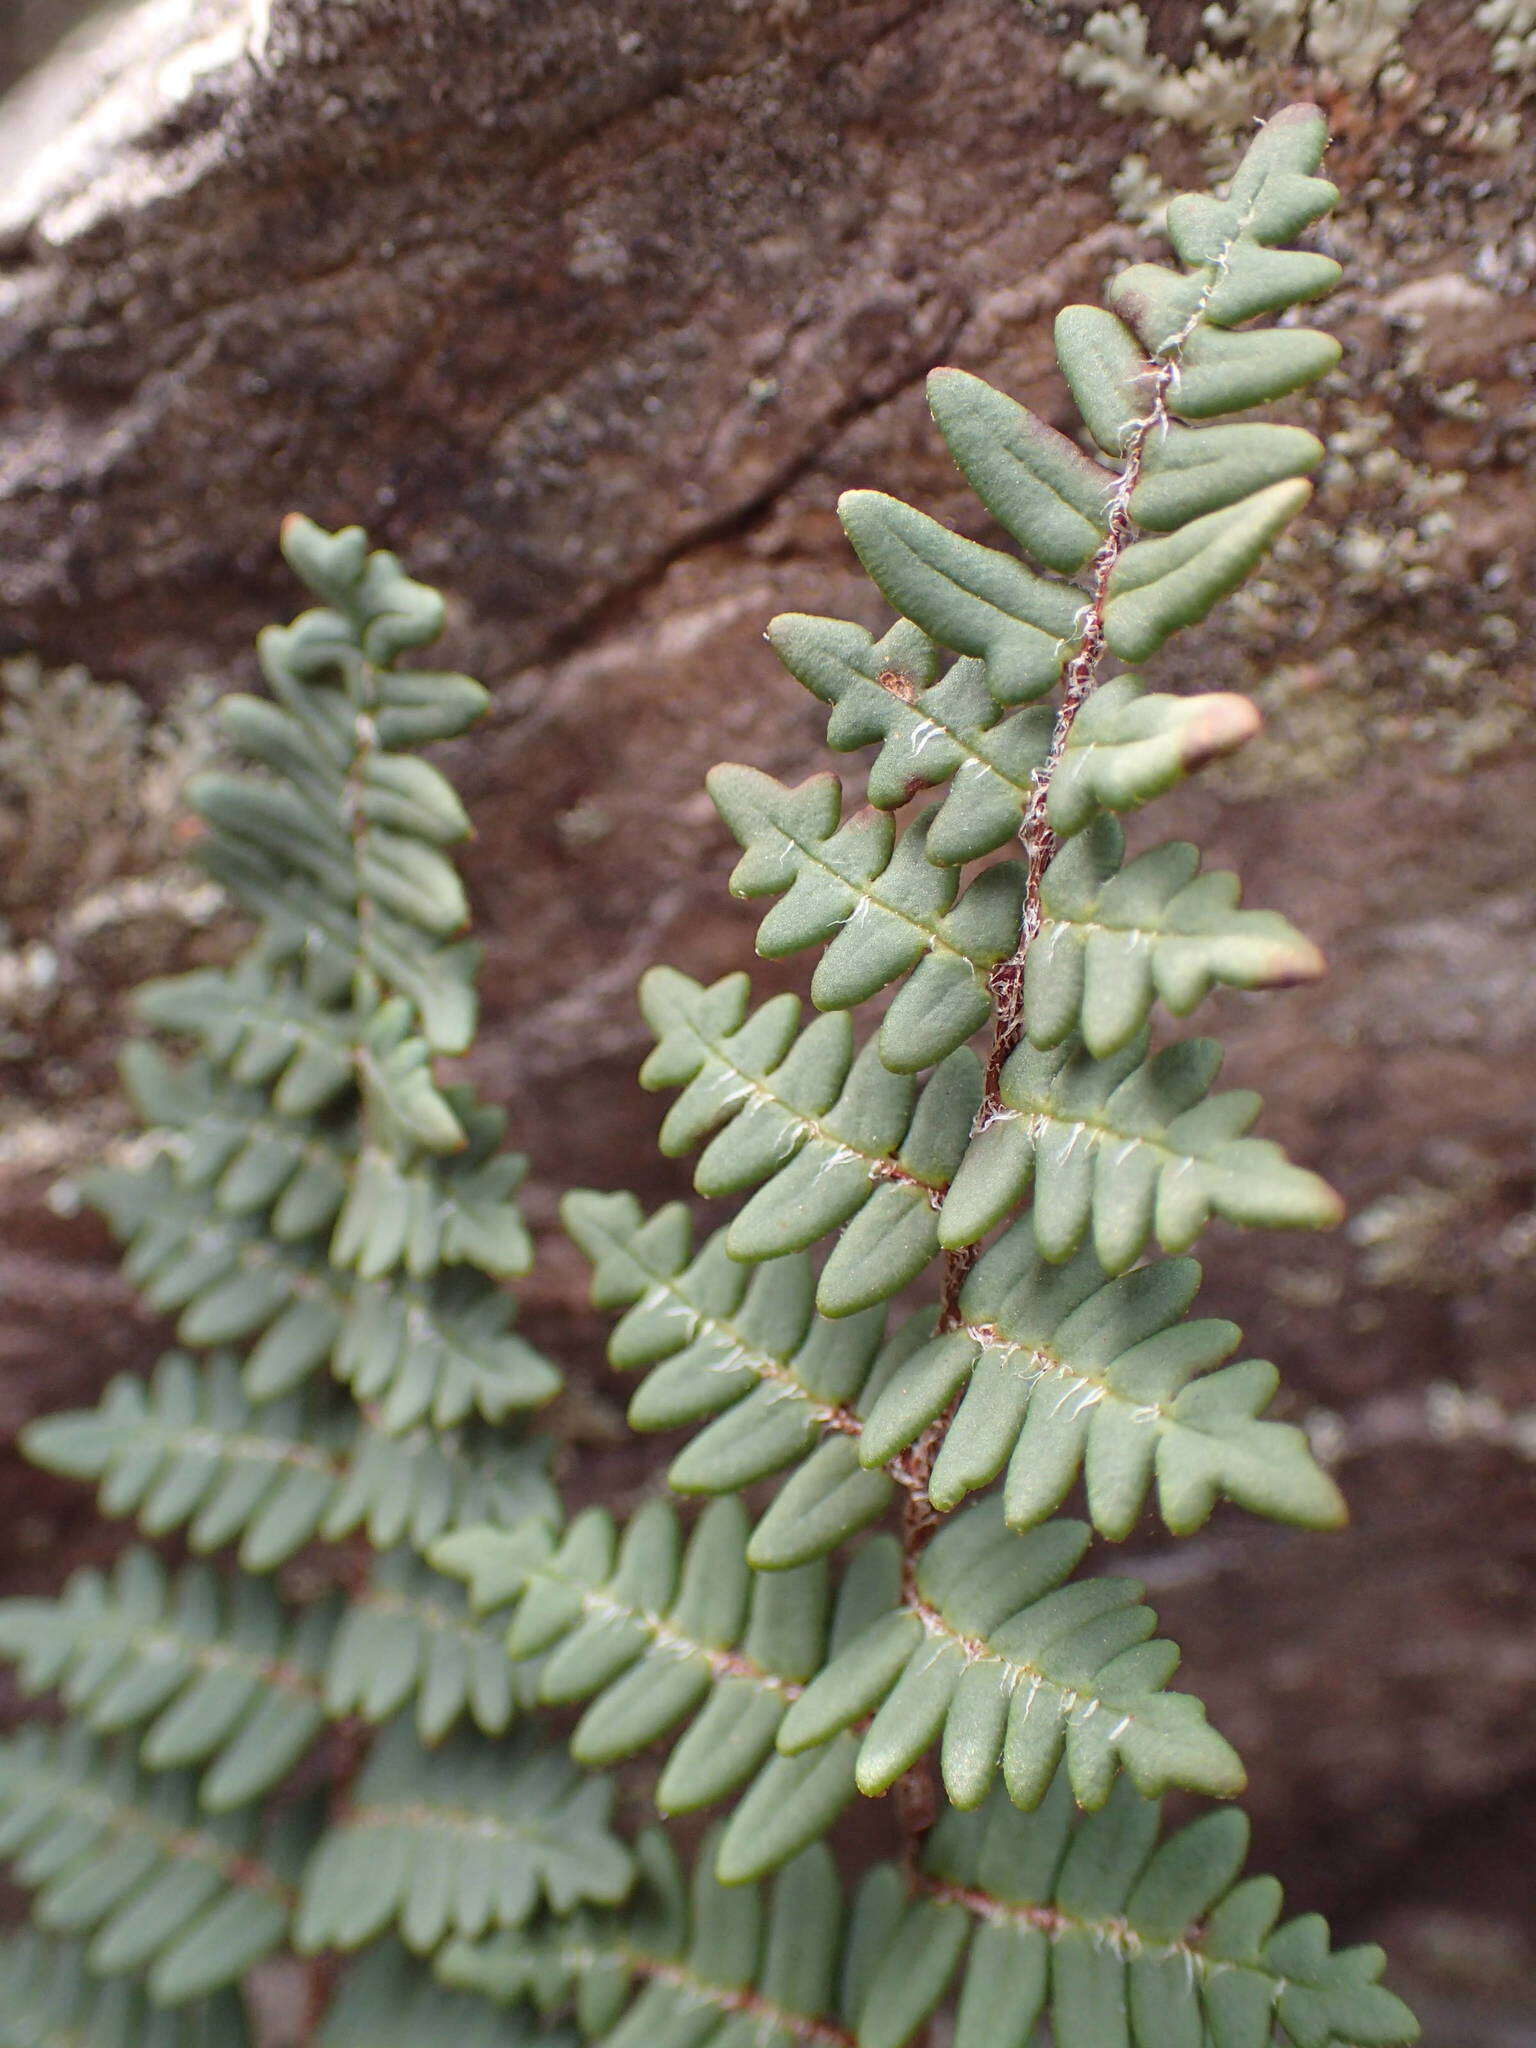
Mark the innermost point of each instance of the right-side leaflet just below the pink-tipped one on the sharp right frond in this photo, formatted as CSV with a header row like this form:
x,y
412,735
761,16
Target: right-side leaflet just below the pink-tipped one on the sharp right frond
x,y
1117,937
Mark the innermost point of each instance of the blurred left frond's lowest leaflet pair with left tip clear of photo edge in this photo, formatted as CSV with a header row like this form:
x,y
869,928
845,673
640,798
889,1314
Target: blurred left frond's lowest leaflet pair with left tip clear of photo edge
x,y
191,1451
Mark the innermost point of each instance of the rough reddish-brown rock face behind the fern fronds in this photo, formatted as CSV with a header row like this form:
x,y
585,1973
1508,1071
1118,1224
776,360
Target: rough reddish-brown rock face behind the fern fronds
x,y
591,316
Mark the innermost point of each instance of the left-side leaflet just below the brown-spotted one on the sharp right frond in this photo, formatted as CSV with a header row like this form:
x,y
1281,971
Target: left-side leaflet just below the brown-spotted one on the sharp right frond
x,y
878,904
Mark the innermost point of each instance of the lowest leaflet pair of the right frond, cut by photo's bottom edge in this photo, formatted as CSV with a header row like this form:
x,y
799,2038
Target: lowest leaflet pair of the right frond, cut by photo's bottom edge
x,y
1093,1924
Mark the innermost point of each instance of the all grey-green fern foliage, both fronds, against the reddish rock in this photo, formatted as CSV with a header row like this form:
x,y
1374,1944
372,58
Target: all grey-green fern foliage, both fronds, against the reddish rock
x,y
939,1312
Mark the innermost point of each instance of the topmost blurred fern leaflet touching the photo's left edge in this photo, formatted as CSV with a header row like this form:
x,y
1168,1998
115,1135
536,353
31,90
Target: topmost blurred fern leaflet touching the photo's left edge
x,y
222,1674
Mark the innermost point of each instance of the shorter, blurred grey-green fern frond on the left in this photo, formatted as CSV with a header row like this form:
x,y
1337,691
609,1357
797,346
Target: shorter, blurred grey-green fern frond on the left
x,y
331,1228
